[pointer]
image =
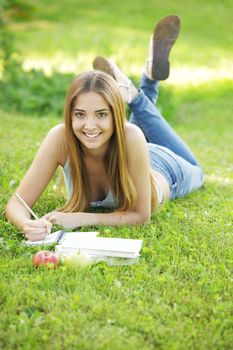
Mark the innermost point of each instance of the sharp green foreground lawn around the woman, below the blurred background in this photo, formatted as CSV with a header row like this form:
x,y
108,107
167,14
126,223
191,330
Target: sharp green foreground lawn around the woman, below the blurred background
x,y
178,297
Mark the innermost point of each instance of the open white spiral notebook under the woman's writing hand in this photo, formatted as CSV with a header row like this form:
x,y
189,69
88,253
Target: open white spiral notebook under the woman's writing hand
x,y
58,236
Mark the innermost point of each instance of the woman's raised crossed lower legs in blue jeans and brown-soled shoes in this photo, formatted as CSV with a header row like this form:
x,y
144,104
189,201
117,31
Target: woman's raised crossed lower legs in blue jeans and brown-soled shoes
x,y
145,114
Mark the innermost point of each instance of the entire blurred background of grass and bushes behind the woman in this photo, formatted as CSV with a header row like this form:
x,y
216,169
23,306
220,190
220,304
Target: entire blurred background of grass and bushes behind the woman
x,y
59,39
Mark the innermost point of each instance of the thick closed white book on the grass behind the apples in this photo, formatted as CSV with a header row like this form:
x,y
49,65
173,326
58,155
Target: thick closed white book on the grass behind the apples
x,y
102,246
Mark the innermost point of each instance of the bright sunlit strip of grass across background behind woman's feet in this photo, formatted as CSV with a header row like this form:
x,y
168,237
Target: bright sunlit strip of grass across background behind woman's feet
x,y
180,74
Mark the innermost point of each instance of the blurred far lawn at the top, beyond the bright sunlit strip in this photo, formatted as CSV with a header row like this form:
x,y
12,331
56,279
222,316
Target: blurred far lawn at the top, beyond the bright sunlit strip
x,y
82,29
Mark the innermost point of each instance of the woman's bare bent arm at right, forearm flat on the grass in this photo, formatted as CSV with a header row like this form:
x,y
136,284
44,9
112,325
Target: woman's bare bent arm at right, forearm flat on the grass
x,y
139,170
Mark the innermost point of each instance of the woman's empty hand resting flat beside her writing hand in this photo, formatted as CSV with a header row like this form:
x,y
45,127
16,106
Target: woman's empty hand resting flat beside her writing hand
x,y
67,220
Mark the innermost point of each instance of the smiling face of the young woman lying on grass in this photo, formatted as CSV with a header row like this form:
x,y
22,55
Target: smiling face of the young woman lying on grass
x,y
92,122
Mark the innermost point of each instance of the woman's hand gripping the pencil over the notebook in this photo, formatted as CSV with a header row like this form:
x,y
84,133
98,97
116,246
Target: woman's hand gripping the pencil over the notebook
x,y
36,230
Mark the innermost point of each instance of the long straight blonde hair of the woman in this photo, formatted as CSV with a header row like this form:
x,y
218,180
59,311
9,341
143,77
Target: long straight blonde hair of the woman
x,y
115,159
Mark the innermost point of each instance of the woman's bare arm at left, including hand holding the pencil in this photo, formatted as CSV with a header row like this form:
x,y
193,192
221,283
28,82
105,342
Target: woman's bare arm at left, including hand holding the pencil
x,y
44,165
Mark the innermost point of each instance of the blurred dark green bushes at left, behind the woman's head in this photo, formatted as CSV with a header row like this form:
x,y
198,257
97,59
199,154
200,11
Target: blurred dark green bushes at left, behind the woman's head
x,y
26,92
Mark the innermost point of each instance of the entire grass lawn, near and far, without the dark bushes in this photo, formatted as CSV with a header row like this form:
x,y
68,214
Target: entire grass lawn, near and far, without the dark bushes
x,y
179,296
